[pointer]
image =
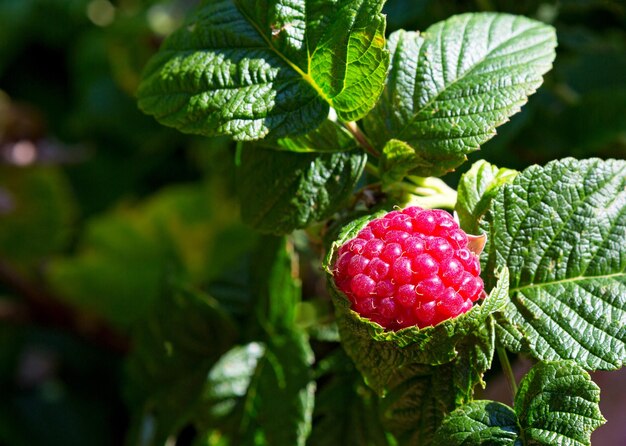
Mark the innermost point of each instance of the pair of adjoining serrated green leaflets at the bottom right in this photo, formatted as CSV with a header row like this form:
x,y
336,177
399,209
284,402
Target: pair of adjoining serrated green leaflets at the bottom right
x,y
557,404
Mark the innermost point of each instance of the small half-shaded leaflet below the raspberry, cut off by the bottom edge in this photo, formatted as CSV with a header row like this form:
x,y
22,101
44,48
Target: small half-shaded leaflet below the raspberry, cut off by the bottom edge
x,y
480,423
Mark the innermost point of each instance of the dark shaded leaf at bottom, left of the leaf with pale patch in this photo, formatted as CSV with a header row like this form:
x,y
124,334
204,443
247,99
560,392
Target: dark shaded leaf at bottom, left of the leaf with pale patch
x,y
173,351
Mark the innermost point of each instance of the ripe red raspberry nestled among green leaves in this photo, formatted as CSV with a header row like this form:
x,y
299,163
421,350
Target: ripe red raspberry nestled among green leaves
x,y
411,267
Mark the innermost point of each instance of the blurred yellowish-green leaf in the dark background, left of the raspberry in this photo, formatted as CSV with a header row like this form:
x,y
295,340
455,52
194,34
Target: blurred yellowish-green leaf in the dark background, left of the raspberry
x,y
176,230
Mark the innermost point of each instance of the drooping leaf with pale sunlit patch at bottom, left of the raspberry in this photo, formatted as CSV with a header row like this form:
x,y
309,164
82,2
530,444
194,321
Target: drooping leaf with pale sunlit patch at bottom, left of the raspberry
x,y
260,393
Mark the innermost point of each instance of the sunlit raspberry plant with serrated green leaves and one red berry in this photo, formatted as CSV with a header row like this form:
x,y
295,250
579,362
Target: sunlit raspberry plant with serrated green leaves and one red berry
x,y
337,124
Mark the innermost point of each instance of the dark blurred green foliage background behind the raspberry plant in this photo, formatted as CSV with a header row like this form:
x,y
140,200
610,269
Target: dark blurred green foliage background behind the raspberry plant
x,y
101,208
